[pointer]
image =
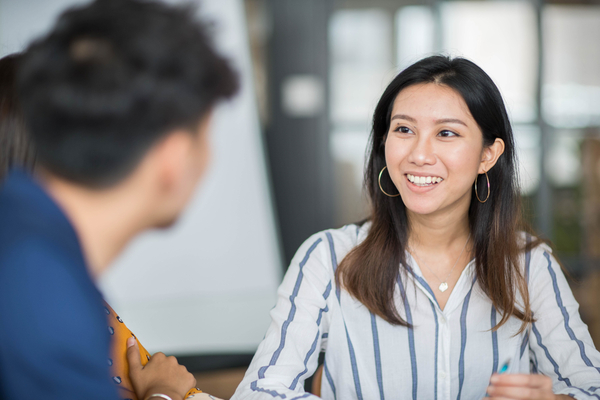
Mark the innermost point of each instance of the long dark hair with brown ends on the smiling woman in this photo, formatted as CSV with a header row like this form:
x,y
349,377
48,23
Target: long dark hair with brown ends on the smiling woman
x,y
370,270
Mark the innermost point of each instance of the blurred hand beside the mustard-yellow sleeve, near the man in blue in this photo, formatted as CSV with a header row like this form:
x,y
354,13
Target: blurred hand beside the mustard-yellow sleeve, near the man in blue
x,y
161,374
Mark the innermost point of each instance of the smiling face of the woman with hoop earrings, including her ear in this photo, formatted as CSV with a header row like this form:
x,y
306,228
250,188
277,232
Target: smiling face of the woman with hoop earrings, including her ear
x,y
434,149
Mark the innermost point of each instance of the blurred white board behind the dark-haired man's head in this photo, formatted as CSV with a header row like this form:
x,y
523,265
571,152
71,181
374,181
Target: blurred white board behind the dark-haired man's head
x,y
207,284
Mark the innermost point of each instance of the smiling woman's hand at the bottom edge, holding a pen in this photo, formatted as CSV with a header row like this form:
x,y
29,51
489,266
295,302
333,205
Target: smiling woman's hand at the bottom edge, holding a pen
x,y
522,387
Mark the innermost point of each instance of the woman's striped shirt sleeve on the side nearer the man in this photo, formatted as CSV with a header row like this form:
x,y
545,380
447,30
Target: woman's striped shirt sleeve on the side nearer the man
x,y
289,352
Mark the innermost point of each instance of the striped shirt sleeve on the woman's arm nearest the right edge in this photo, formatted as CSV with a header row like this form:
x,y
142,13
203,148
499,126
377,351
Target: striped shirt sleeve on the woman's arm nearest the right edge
x,y
560,344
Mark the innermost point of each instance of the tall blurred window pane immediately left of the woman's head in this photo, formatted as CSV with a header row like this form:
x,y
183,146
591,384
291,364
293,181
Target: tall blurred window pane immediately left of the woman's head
x,y
361,65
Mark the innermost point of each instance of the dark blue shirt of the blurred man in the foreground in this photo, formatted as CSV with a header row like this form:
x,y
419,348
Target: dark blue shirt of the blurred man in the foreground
x,y
54,341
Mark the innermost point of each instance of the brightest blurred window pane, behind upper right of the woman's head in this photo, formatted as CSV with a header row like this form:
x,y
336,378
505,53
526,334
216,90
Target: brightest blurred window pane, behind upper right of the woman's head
x,y
500,37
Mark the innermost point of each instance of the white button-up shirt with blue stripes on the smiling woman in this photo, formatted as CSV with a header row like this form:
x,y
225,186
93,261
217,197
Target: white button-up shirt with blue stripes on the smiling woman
x,y
450,353
